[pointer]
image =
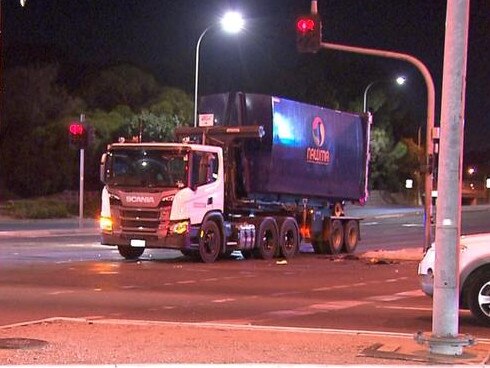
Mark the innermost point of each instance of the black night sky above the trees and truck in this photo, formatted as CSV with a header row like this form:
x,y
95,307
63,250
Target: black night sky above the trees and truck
x,y
161,36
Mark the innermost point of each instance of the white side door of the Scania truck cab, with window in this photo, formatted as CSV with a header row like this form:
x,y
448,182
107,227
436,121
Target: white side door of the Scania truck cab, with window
x,y
207,185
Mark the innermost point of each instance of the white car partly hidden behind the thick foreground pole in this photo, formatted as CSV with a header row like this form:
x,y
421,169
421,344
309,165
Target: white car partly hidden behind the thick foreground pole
x,y
474,275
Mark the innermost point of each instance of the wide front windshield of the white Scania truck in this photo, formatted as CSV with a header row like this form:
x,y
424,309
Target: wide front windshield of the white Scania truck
x,y
147,168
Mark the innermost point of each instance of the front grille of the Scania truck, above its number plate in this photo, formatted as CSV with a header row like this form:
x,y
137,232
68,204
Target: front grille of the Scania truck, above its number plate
x,y
143,221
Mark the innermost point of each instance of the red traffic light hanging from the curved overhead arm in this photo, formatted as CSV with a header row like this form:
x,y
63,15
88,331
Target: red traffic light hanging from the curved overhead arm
x,y
308,33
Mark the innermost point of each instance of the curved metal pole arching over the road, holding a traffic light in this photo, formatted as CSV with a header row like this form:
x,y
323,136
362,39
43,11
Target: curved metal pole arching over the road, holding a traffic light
x,y
430,118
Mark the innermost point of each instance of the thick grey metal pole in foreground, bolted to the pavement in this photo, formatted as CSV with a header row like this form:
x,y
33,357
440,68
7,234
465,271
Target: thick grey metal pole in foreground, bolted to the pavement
x,y
448,226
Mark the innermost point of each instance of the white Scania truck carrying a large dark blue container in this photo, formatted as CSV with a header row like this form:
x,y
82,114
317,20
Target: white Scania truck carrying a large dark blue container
x,y
258,174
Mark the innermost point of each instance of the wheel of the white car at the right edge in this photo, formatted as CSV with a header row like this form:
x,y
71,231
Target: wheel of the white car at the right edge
x,y
478,296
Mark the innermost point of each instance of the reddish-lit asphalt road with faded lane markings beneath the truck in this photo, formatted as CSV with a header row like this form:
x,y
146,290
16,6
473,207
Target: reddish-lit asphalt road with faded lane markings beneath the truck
x,y
73,276
